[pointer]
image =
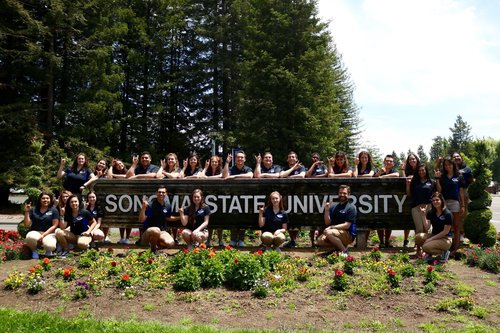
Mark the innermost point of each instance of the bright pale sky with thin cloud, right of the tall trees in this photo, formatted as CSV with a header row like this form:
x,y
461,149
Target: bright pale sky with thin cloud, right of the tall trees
x,y
418,64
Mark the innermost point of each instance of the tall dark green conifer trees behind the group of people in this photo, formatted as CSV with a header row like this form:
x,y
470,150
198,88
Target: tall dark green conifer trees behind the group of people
x,y
113,78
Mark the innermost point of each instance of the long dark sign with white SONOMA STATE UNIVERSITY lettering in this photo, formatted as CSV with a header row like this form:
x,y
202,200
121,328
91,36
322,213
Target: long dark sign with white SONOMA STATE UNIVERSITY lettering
x,y
380,202
